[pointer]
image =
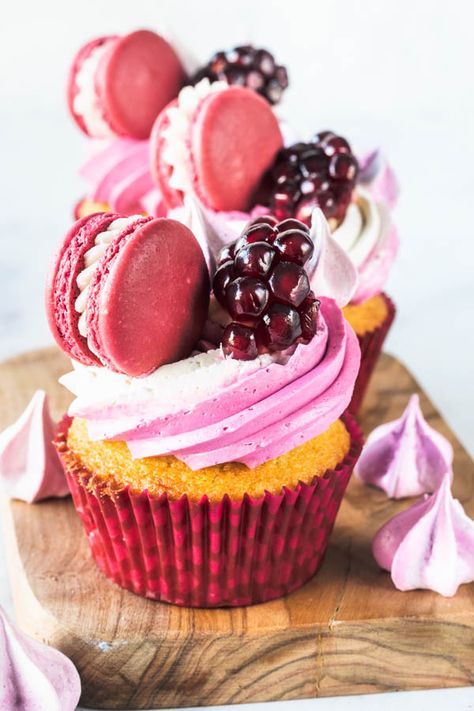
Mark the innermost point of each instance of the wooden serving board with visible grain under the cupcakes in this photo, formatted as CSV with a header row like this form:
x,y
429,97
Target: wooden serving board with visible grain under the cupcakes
x,y
347,631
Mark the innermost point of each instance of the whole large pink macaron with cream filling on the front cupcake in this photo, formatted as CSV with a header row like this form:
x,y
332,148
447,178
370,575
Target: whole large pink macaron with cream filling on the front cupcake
x,y
129,293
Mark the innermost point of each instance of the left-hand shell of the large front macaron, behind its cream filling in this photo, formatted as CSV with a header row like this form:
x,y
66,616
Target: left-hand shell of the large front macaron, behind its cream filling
x,y
62,289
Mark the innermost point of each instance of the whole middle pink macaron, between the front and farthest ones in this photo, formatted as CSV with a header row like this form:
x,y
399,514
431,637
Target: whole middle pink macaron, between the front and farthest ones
x,y
224,146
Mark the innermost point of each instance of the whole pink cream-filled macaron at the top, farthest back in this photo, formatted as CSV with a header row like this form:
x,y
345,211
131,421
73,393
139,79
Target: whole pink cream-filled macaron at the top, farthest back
x,y
119,85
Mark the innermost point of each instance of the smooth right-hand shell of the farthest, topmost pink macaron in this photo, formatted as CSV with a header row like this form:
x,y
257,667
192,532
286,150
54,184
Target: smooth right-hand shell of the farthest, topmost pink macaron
x,y
135,80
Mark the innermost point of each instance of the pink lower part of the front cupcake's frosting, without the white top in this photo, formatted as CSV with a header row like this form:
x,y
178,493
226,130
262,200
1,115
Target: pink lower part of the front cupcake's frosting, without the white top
x,y
251,420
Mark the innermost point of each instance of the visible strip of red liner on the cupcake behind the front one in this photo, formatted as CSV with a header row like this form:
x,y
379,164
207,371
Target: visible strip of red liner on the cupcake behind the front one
x,y
370,348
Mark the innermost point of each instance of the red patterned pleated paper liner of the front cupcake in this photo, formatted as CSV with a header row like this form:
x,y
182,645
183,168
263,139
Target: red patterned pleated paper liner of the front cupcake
x,y
209,554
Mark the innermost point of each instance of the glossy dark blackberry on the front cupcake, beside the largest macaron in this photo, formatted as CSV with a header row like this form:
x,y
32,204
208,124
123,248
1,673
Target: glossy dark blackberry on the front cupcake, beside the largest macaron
x,y
262,283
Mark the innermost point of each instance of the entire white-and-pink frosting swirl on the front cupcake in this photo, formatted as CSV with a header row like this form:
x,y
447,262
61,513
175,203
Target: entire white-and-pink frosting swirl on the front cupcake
x,y
248,412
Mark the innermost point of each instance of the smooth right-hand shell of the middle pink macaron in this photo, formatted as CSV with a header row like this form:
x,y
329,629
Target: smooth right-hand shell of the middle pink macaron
x,y
234,139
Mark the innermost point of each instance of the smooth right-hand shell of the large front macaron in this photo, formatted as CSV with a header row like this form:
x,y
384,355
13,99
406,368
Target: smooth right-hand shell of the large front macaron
x,y
149,298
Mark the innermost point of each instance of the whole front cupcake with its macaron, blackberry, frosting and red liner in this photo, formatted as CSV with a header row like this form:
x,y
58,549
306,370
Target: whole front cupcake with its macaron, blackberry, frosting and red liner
x,y
206,471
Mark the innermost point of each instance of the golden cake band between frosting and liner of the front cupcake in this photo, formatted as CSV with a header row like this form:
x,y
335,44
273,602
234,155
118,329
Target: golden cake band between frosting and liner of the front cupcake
x,y
112,464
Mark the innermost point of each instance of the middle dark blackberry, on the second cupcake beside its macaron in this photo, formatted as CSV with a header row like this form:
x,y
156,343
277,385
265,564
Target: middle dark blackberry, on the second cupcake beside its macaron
x,y
321,173
